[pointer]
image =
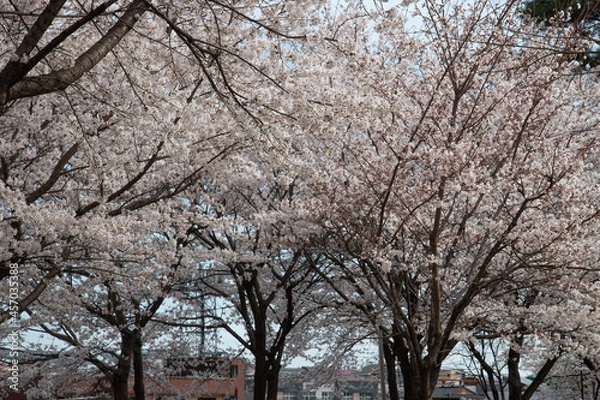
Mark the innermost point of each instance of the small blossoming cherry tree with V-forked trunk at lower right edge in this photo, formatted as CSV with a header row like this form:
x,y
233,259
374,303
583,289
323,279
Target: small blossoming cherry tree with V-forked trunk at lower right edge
x,y
537,327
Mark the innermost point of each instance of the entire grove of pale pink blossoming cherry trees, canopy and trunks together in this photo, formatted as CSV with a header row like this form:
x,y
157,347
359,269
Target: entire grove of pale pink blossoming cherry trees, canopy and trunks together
x,y
295,160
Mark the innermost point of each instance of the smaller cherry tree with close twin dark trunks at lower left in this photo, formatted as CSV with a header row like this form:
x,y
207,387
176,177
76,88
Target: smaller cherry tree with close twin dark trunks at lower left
x,y
109,320
